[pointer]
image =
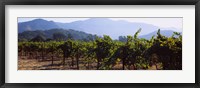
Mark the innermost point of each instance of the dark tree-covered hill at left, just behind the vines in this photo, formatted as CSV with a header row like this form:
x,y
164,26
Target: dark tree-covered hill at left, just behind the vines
x,y
49,34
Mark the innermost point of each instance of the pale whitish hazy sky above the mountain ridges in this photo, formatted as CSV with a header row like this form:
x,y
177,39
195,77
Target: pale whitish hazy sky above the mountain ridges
x,y
160,22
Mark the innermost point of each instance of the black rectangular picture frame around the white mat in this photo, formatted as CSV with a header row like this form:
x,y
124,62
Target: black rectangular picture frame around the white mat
x,y
99,2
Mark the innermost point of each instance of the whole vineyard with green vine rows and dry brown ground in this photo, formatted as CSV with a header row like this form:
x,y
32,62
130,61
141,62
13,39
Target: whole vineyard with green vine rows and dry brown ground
x,y
102,53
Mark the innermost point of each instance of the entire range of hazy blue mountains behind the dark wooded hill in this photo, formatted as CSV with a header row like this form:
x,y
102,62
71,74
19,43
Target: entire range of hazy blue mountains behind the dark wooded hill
x,y
98,26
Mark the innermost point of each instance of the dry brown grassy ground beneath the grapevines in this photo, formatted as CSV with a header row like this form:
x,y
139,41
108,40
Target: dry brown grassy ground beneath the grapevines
x,y
38,64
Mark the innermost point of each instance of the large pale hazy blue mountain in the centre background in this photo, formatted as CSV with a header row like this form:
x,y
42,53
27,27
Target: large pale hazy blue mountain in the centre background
x,y
104,26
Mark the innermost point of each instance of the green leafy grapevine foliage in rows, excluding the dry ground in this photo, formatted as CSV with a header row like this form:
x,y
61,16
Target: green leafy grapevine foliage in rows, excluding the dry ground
x,y
132,52
